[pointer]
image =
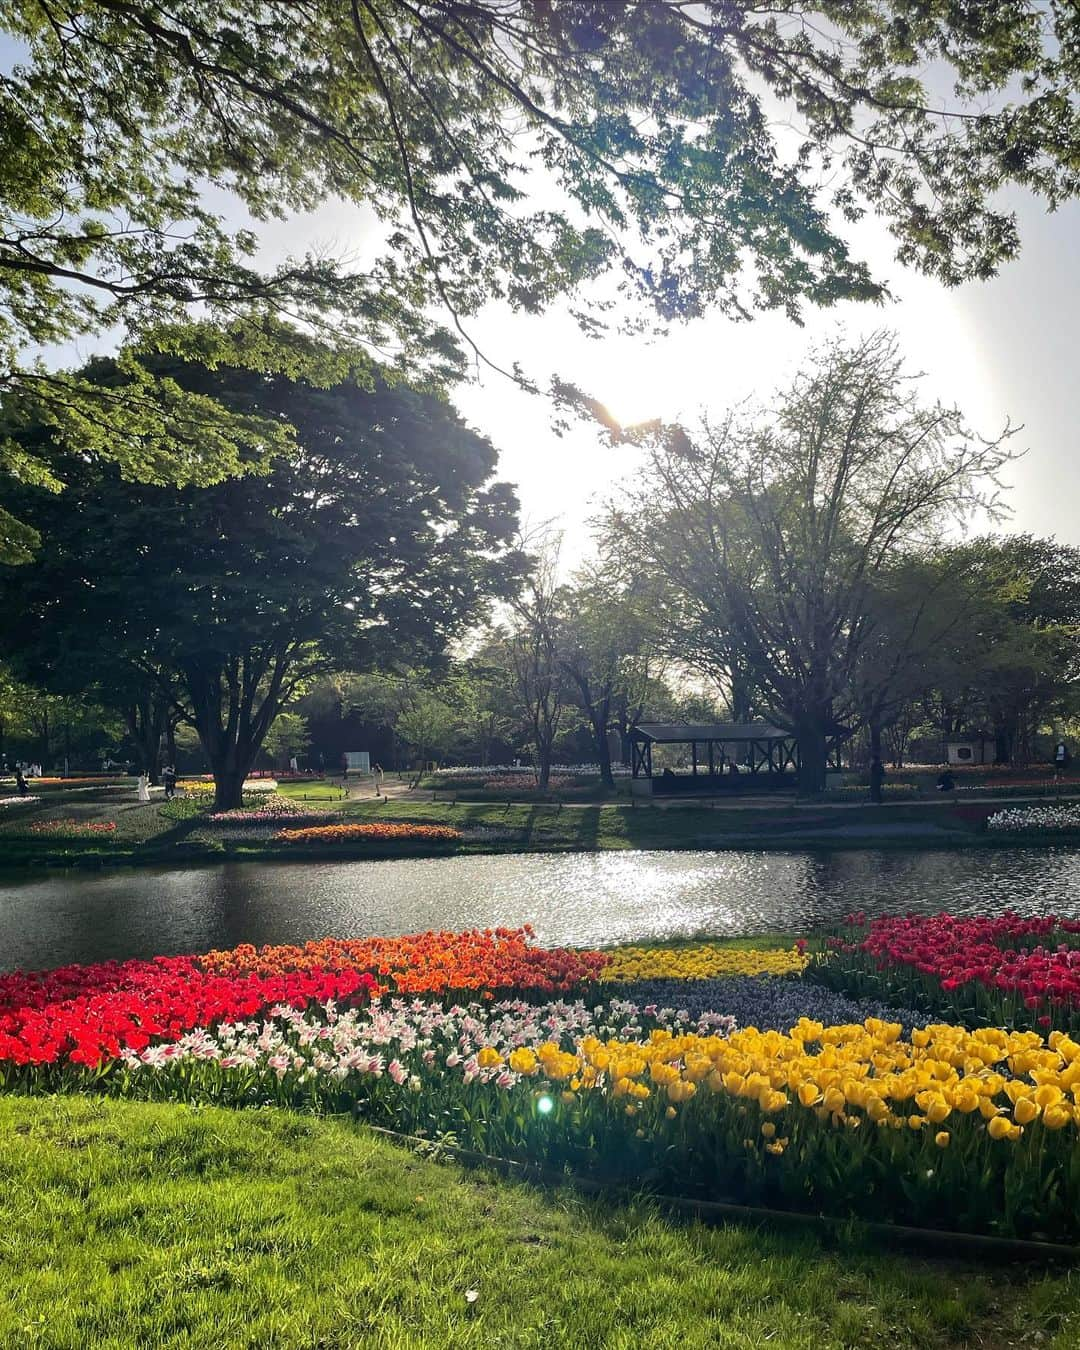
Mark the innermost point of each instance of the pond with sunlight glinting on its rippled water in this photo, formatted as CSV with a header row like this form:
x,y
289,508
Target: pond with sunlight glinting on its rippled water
x,y
574,898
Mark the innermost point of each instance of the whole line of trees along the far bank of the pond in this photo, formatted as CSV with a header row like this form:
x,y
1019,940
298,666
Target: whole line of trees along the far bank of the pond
x,y
800,562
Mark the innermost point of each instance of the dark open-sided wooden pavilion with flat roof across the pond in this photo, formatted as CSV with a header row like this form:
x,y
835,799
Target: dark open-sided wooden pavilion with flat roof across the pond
x,y
724,758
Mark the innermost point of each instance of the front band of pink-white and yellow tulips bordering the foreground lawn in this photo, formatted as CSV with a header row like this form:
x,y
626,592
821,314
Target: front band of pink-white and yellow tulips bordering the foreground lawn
x,y
846,1120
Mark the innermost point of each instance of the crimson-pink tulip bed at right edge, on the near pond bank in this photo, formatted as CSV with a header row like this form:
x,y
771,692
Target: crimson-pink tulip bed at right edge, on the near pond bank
x,y
1008,971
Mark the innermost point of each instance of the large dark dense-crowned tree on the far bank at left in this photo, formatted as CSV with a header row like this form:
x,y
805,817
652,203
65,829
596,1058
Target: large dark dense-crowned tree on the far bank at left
x,y
381,533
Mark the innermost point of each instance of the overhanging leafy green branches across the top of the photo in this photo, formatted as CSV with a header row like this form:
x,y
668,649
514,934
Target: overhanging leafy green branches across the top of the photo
x,y
510,152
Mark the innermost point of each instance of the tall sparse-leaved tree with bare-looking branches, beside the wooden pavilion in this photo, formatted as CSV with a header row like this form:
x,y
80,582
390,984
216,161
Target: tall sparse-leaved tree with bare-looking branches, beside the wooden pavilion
x,y
776,527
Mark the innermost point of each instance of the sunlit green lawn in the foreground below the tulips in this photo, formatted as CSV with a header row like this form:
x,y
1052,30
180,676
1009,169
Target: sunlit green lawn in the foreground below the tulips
x,y
161,1226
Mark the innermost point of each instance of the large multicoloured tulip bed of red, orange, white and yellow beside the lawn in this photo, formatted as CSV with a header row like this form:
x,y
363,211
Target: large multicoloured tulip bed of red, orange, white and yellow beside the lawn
x,y
939,1125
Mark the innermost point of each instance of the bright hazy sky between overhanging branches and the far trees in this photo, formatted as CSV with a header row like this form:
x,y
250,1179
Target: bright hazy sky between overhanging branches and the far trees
x,y
1004,350
